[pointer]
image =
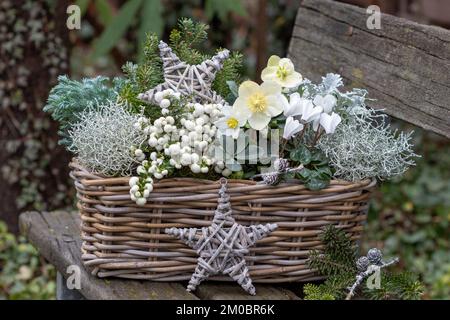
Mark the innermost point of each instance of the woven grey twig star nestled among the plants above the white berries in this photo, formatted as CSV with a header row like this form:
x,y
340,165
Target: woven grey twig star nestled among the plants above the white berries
x,y
188,80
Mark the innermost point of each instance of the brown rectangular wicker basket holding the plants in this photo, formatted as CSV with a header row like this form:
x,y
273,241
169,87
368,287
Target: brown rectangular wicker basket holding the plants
x,y
124,240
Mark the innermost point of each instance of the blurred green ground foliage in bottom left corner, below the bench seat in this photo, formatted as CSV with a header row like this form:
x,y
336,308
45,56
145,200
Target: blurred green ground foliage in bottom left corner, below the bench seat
x,y
23,275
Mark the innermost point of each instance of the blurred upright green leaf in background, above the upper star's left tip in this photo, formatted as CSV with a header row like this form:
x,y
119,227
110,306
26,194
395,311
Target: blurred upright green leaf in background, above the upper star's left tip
x,y
151,21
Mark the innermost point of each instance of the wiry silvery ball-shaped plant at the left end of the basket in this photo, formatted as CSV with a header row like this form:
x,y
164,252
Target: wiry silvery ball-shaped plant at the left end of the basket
x,y
103,139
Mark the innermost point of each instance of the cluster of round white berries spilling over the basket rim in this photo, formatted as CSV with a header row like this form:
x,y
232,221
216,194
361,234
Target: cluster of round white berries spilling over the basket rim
x,y
175,141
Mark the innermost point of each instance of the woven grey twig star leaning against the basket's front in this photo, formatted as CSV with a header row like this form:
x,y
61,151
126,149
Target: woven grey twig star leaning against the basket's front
x,y
222,245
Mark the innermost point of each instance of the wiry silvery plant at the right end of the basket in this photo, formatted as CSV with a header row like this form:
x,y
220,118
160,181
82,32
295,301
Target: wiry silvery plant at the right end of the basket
x,y
363,147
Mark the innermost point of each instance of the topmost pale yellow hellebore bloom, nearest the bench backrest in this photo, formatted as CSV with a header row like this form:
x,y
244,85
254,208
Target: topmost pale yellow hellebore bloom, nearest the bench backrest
x,y
282,72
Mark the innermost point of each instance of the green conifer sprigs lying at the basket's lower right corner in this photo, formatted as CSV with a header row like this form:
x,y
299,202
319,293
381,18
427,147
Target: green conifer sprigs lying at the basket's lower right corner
x,y
338,263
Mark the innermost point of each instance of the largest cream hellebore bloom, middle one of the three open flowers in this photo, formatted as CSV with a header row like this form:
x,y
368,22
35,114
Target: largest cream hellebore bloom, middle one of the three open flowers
x,y
259,103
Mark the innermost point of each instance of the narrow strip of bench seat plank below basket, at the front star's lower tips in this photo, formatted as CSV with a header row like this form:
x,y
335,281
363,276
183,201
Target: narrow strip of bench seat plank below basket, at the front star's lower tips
x,y
220,291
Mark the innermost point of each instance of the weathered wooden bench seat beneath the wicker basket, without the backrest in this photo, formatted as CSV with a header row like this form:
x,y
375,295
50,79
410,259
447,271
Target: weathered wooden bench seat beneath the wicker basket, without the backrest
x,y
57,237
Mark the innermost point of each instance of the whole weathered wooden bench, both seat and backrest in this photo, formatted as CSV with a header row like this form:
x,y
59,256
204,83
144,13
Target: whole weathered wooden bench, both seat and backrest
x,y
404,65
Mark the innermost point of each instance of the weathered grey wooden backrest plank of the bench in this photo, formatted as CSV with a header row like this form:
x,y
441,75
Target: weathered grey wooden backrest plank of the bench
x,y
404,65
